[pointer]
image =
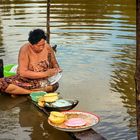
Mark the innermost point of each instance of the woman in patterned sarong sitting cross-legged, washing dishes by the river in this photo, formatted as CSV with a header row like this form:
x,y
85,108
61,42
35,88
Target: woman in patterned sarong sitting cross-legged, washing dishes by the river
x,y
36,63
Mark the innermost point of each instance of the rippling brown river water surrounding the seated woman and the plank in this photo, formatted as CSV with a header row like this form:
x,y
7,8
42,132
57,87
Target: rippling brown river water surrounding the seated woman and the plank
x,y
96,50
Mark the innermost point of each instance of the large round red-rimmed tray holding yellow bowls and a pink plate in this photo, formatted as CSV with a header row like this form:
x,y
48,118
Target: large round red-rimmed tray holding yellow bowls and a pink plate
x,y
73,121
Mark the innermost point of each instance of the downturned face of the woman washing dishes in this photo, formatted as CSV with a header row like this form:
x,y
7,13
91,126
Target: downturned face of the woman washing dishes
x,y
39,46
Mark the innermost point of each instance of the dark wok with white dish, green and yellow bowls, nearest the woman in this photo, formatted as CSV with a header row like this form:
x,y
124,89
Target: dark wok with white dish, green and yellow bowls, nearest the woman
x,y
52,101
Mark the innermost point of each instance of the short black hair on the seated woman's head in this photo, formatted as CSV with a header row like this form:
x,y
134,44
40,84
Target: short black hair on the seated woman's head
x,y
36,35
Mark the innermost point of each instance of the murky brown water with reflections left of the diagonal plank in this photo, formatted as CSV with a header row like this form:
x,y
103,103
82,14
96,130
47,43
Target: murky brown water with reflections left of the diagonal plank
x,y
26,122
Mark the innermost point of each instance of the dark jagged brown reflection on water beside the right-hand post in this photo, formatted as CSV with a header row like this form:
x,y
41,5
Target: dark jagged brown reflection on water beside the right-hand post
x,y
123,79
